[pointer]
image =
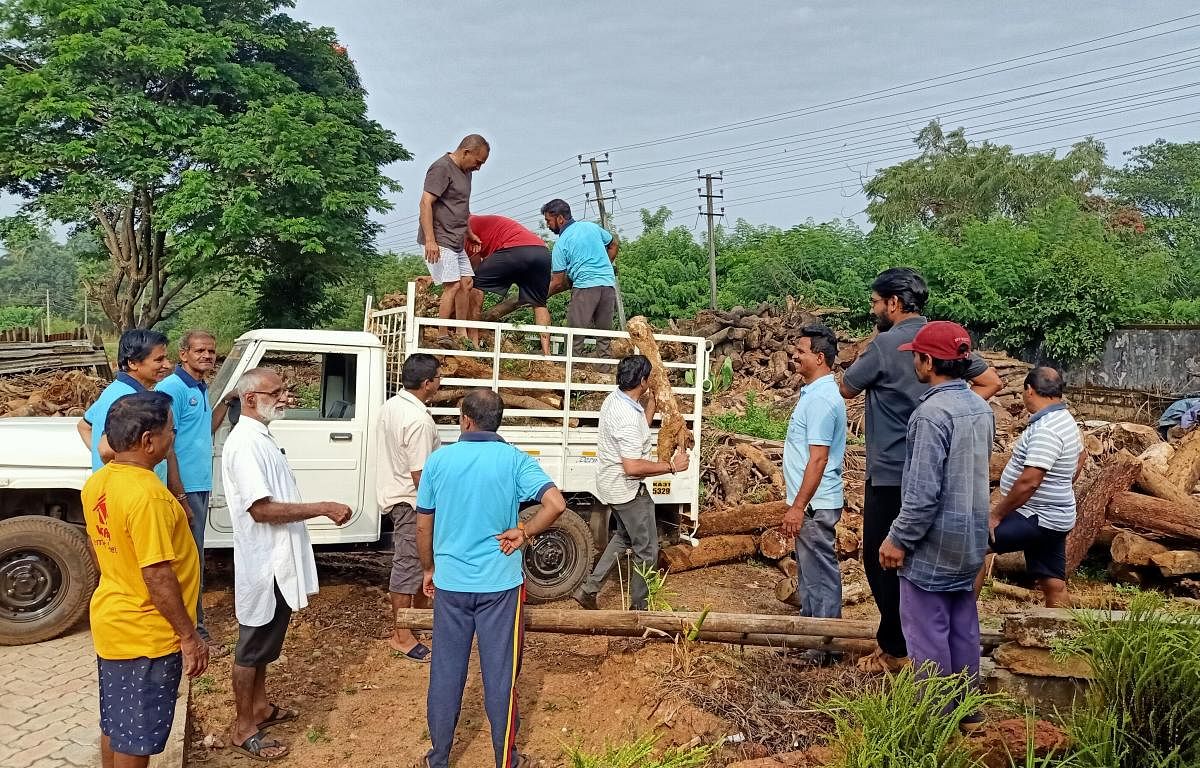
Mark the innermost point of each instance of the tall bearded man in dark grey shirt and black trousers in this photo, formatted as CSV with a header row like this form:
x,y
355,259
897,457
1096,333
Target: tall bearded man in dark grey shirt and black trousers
x,y
893,391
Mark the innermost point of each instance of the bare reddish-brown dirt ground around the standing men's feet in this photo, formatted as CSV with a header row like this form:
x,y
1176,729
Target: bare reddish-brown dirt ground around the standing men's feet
x,y
361,706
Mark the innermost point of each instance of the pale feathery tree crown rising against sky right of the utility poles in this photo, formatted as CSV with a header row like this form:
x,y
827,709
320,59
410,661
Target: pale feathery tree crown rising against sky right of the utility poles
x,y
955,182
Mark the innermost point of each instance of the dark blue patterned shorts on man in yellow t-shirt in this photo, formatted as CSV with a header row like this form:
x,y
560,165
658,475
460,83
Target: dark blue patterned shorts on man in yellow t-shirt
x,y
137,703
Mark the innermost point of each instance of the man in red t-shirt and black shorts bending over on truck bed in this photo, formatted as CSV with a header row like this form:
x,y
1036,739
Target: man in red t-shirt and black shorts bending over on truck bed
x,y
508,255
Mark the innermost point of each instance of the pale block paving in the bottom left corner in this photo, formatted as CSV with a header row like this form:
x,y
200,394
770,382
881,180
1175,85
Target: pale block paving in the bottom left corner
x,y
49,710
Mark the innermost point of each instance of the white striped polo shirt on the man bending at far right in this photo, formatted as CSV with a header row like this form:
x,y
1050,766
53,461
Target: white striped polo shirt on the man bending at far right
x,y
1053,443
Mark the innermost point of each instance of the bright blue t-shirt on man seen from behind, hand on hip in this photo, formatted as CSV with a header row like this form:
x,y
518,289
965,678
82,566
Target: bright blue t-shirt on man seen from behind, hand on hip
x,y
473,490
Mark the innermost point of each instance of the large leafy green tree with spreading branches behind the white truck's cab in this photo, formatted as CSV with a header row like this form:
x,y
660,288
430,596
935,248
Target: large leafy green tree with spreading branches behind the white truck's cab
x,y
209,146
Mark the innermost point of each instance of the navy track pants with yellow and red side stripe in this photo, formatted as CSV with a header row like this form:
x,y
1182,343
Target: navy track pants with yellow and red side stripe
x,y
497,621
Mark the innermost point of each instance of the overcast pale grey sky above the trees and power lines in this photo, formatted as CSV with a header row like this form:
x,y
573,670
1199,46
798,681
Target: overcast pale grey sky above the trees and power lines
x,y
547,83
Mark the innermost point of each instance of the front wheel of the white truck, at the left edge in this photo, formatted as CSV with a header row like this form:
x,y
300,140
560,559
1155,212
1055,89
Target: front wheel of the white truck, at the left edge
x,y
47,577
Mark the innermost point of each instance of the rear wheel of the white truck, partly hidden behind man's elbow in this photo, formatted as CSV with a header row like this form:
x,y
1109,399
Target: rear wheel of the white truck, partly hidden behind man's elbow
x,y
560,559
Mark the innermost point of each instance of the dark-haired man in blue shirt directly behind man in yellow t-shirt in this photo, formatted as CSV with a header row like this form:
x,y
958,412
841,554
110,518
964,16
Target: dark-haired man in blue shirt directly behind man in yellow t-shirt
x,y
142,363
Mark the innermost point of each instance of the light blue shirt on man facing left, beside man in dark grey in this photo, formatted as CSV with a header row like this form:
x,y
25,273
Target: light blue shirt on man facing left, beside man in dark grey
x,y
819,419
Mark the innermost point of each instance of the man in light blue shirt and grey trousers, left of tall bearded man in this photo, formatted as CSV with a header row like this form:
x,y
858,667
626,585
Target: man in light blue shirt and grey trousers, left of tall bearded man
x,y
813,460
